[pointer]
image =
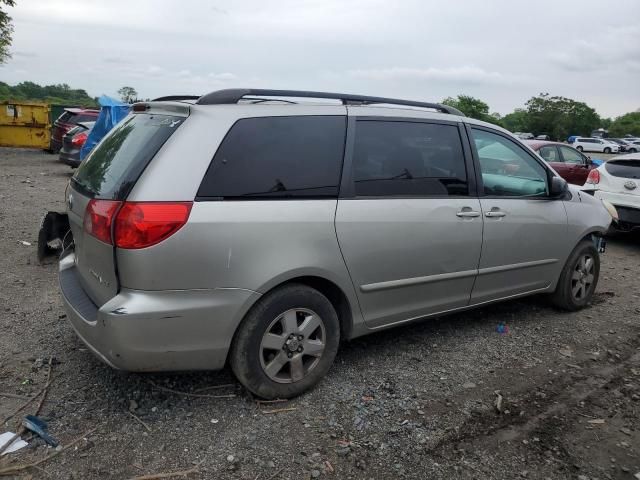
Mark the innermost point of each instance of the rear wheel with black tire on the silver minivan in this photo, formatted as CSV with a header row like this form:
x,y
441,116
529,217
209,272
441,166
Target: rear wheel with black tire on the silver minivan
x,y
286,343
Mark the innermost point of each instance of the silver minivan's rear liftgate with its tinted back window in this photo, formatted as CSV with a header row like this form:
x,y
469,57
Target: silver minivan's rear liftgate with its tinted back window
x,y
105,178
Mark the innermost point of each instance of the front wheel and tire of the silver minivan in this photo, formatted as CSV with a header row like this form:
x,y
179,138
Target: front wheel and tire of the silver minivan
x,y
579,278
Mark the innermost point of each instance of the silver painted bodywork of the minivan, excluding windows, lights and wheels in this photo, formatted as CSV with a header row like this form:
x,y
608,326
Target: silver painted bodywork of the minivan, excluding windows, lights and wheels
x,y
176,305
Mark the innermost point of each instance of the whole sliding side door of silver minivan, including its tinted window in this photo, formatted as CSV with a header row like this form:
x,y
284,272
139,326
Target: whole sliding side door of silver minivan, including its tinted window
x,y
408,221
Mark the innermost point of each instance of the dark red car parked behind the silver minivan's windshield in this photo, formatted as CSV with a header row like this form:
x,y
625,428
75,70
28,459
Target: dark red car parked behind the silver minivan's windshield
x,y
571,164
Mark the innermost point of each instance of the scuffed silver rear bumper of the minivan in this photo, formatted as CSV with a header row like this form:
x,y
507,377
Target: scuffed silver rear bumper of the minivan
x,y
146,331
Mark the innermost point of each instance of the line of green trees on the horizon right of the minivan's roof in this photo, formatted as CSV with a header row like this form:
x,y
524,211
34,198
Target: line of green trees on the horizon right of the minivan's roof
x,y
558,117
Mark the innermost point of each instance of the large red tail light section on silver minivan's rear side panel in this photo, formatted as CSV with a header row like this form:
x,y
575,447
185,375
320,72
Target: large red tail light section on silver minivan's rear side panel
x,y
143,224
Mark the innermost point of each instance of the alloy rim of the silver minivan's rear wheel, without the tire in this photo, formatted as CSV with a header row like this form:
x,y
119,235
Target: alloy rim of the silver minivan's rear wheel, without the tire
x,y
292,345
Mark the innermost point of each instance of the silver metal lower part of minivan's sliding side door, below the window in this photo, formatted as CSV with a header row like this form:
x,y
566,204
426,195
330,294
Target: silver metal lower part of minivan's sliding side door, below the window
x,y
409,257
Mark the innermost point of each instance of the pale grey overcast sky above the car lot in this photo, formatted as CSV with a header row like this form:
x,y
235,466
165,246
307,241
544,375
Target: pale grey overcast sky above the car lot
x,y
502,51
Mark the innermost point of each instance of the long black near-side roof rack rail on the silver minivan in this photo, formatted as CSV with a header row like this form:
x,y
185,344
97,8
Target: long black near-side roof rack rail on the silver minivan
x,y
233,95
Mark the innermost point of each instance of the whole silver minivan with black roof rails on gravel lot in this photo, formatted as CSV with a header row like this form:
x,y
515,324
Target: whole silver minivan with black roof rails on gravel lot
x,y
263,227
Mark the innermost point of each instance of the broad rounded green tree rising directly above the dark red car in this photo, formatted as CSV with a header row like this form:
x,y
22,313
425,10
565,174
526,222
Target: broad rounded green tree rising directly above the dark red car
x,y
560,117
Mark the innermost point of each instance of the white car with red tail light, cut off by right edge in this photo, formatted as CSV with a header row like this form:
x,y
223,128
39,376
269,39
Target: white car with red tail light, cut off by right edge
x,y
617,181
